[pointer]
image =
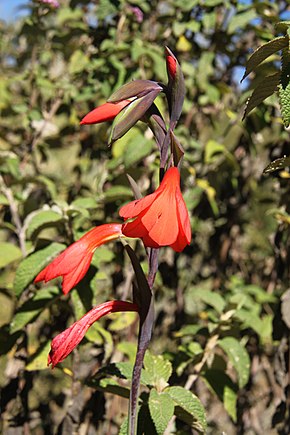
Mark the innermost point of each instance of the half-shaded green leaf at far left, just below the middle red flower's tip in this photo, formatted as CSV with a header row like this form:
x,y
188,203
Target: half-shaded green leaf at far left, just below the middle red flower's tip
x,y
32,308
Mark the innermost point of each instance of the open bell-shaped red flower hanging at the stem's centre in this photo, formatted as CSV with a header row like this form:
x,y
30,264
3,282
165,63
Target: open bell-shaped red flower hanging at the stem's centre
x,y
162,217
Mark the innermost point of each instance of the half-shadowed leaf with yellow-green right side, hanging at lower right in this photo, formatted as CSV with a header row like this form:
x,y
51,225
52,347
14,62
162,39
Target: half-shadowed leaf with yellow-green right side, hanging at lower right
x,y
224,388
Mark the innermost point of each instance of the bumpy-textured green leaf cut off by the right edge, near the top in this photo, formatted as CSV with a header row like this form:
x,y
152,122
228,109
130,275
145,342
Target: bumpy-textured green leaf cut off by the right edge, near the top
x,y
284,88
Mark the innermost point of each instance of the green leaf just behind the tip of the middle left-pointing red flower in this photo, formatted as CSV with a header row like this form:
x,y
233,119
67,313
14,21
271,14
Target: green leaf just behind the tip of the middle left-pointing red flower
x,y
32,265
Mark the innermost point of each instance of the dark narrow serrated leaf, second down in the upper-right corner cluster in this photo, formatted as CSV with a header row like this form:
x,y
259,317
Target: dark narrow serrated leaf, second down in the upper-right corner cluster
x,y
266,88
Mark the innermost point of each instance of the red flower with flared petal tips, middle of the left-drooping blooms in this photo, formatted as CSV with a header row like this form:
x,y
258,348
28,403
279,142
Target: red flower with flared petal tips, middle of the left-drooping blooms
x,y
73,263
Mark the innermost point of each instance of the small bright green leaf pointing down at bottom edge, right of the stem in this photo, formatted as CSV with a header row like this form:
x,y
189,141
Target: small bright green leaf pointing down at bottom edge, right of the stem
x,y
161,407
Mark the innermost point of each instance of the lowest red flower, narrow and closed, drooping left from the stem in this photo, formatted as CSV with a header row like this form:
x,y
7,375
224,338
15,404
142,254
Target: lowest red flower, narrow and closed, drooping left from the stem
x,y
64,343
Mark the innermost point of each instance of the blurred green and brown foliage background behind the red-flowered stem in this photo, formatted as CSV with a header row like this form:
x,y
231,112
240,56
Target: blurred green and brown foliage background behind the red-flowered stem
x,y
59,179
